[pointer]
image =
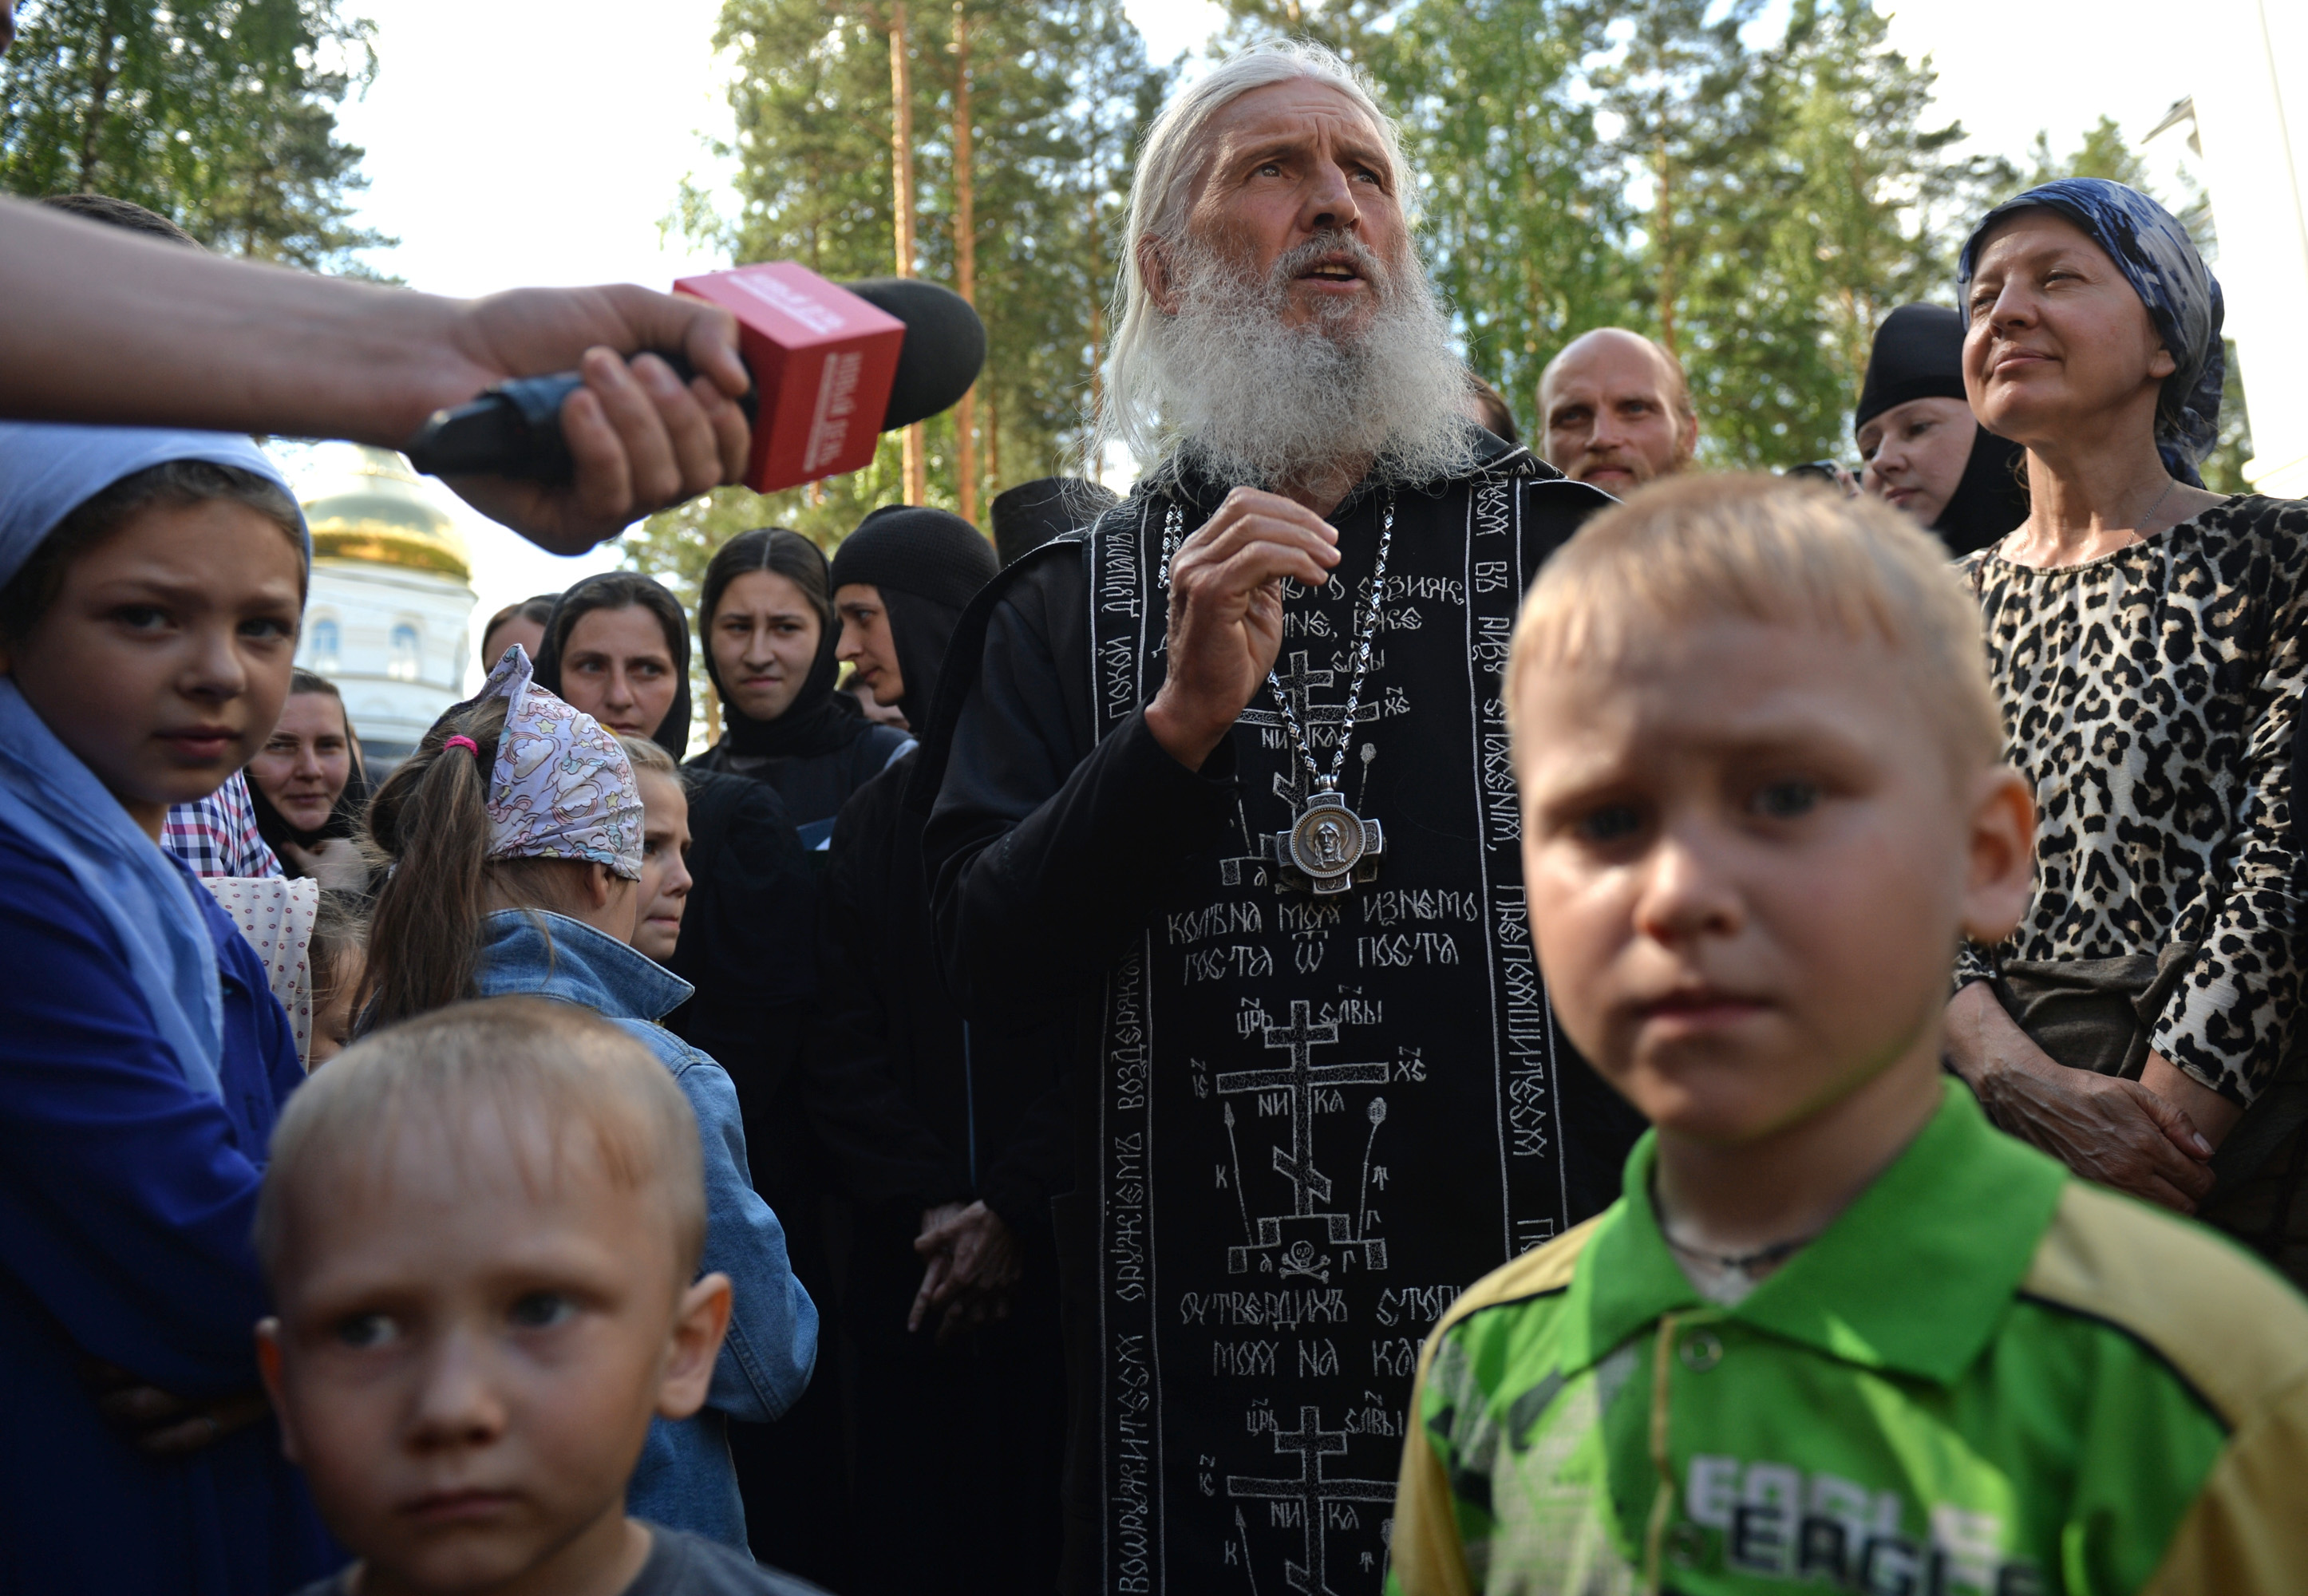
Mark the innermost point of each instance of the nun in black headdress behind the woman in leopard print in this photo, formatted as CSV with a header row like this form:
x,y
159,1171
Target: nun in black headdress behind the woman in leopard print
x,y
1919,442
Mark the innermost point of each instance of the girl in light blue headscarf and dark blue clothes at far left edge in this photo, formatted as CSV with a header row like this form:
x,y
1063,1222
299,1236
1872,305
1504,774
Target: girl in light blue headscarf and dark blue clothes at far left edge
x,y
151,587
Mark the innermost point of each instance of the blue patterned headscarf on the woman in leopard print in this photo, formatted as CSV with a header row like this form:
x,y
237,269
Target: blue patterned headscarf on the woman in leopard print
x,y
2161,264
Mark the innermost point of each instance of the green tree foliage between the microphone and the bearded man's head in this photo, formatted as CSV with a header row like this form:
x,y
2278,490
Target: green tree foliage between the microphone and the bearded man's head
x,y
1058,98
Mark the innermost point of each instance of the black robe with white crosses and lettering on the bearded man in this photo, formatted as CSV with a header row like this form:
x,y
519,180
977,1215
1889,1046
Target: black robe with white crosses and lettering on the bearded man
x,y
1303,1122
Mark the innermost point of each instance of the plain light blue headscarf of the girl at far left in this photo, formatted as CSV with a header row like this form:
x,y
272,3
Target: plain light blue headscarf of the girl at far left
x,y
57,804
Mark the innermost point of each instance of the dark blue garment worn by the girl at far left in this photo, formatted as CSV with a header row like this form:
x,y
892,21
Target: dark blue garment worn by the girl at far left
x,y
126,1207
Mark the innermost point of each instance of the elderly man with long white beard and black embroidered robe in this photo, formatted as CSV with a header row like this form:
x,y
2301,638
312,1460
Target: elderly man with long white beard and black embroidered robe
x,y
1229,774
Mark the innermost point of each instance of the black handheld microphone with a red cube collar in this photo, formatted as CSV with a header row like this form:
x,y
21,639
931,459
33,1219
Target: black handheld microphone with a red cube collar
x,y
832,370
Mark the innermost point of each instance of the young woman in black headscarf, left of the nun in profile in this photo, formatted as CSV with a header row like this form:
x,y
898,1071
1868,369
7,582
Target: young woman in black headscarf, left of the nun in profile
x,y
767,624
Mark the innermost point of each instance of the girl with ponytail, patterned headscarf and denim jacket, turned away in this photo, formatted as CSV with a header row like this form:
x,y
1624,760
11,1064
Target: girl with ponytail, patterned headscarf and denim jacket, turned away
x,y
516,843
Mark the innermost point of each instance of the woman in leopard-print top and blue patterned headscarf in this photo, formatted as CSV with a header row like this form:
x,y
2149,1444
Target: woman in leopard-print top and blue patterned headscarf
x,y
2145,640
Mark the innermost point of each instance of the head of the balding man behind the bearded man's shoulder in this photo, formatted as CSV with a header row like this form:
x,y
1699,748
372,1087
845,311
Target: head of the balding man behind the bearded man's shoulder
x,y
1617,412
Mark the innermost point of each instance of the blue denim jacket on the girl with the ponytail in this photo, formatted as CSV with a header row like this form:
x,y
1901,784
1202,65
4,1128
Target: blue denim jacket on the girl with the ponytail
x,y
684,1477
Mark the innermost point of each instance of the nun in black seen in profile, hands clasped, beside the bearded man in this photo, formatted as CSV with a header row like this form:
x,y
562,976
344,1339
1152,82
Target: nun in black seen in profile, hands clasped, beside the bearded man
x,y
947,1140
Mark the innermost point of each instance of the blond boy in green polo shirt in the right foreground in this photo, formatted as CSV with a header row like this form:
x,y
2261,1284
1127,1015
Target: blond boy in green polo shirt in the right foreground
x,y
1838,1332
